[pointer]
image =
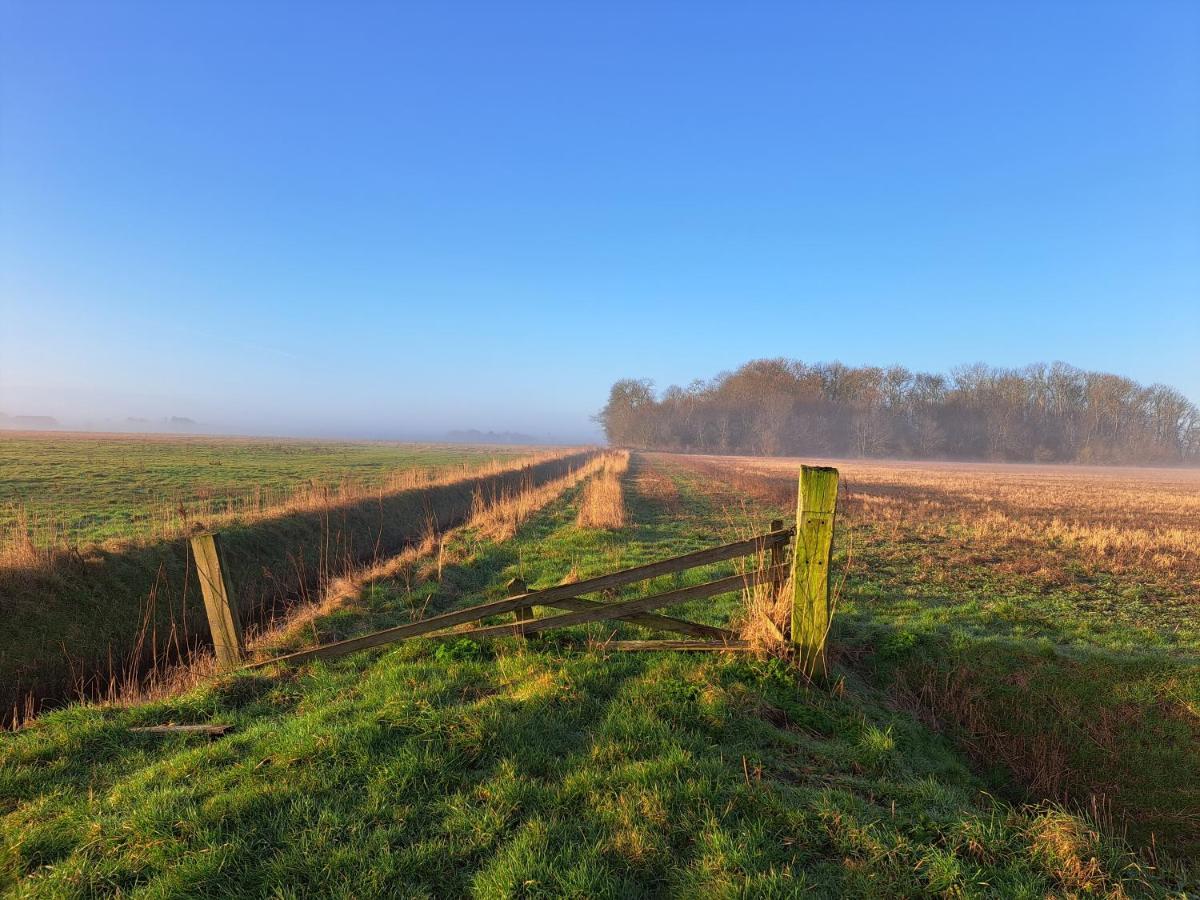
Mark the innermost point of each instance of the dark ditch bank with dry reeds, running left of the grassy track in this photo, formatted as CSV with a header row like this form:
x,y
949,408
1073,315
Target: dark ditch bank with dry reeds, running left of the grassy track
x,y
101,619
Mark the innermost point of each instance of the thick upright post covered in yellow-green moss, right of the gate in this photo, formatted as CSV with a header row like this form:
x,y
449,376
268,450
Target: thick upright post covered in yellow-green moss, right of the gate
x,y
811,565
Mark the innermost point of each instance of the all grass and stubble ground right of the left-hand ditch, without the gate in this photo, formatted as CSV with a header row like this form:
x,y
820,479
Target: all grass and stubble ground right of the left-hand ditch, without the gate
x,y
1012,712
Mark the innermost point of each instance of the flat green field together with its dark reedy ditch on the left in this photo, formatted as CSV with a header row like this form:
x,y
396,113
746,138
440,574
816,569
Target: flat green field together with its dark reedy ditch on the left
x,y
87,619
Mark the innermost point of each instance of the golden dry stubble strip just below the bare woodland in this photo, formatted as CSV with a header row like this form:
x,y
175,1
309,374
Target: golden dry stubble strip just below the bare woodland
x,y
1121,520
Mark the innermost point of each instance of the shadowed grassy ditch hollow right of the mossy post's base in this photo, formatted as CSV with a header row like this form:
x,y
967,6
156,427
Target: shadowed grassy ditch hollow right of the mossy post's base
x,y
1112,734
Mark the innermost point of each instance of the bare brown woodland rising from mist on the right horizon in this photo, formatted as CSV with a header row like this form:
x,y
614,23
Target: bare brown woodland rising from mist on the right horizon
x,y
1041,413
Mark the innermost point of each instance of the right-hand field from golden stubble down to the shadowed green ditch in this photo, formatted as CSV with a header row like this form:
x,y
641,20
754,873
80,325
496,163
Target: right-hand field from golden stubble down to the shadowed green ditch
x,y
1061,651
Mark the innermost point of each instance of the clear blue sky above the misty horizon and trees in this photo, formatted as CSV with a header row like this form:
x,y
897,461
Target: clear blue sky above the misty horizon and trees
x,y
394,219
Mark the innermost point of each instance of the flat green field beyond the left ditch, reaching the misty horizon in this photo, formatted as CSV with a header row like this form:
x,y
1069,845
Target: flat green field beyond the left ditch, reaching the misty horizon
x,y
94,488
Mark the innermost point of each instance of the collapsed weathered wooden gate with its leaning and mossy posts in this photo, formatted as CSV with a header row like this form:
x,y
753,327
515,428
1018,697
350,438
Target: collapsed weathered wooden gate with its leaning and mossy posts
x,y
812,539
